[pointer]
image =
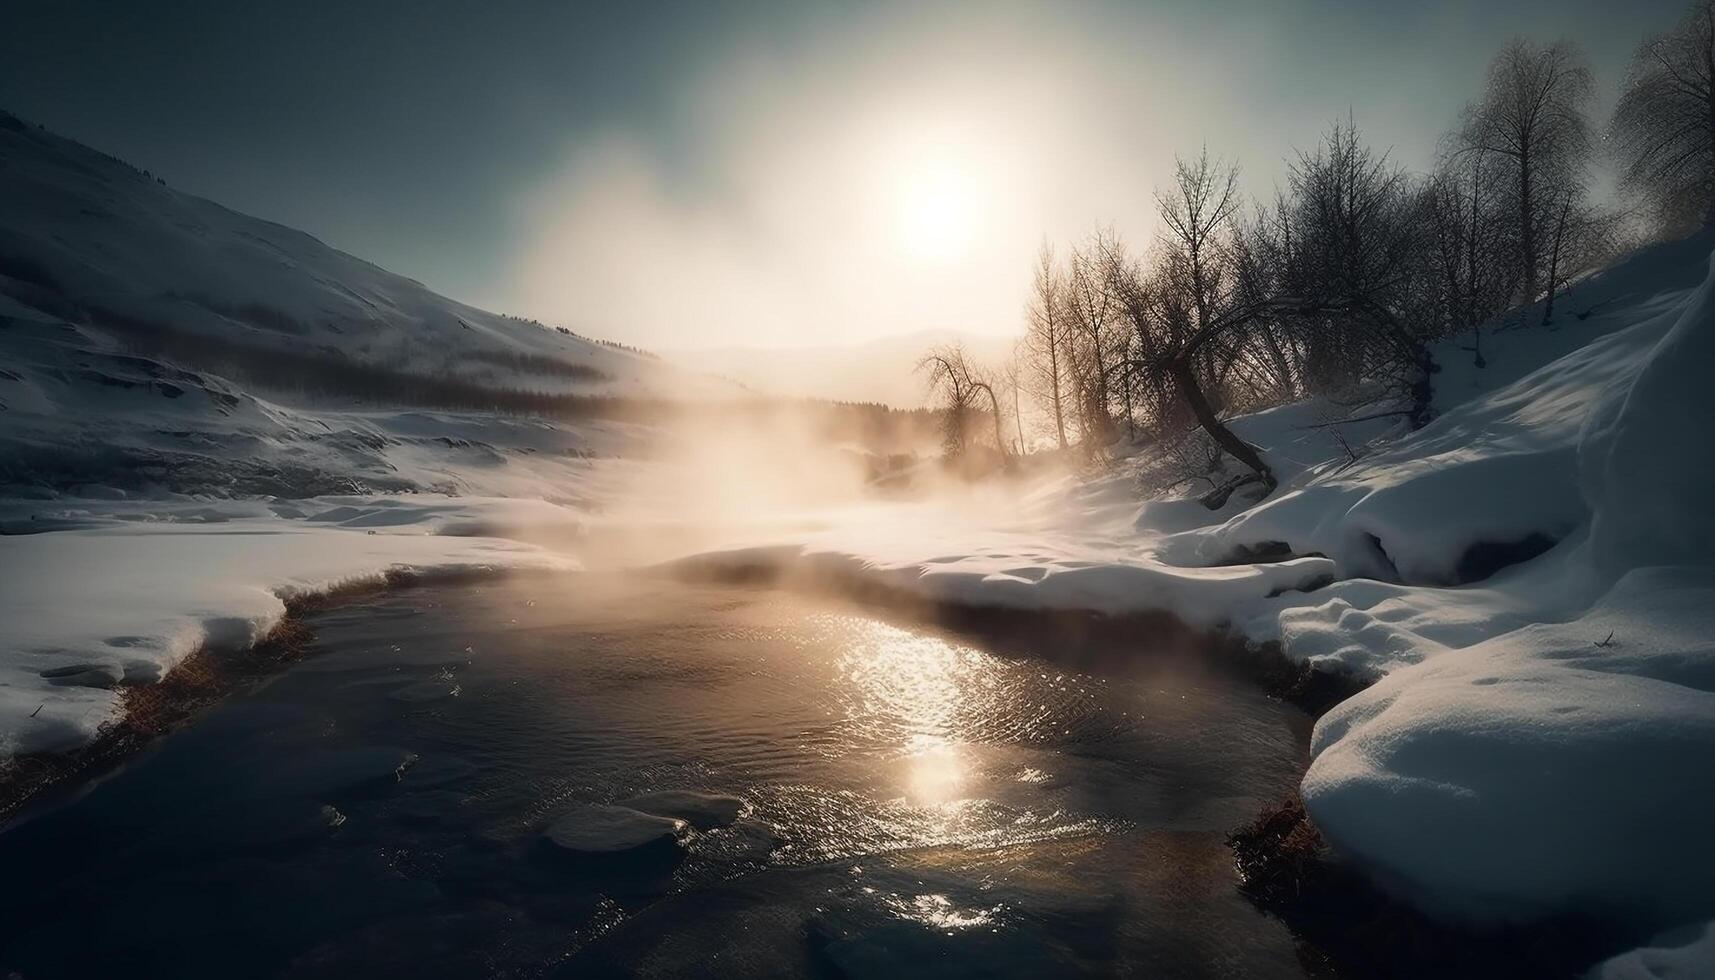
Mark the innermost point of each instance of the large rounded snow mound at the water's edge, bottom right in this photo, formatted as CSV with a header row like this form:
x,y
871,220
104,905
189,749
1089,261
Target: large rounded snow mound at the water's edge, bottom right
x,y
1555,768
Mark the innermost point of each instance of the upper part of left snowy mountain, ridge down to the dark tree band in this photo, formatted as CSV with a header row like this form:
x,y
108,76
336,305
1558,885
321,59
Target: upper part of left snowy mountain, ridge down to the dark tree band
x,y
97,241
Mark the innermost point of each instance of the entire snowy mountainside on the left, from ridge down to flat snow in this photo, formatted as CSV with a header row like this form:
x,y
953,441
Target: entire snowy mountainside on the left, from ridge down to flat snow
x,y
155,342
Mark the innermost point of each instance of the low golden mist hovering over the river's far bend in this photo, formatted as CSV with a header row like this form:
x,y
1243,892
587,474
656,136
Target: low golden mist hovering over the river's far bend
x,y
767,473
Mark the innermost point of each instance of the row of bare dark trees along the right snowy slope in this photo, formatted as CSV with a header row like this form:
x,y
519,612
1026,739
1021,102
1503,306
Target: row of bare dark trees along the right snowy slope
x,y
1340,286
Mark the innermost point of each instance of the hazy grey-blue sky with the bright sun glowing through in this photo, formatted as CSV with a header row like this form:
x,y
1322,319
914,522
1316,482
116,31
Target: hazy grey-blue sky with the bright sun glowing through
x,y
704,174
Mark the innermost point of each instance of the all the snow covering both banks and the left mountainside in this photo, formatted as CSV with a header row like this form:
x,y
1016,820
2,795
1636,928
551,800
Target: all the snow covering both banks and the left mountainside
x,y
1529,581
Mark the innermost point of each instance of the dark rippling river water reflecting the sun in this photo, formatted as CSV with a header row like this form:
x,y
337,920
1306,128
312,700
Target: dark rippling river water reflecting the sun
x,y
912,802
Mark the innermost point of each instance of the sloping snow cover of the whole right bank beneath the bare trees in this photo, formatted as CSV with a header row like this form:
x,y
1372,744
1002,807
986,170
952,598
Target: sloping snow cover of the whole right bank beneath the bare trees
x,y
1536,742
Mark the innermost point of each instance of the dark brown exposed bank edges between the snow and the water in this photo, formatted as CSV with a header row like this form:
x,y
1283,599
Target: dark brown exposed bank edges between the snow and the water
x,y
1347,928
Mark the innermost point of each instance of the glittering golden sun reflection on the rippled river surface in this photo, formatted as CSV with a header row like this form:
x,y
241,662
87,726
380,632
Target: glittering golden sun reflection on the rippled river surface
x,y
939,735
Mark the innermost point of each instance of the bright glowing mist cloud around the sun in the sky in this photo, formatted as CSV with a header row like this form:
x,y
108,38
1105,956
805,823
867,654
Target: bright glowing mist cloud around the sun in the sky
x,y
855,188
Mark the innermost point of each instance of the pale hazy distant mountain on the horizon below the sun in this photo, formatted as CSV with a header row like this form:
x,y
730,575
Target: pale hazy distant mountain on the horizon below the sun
x,y
874,372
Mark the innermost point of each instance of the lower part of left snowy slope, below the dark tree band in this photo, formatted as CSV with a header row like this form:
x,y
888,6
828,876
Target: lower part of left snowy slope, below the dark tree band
x,y
83,416
